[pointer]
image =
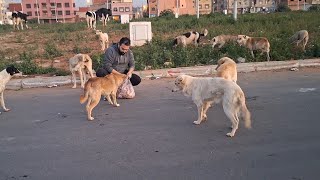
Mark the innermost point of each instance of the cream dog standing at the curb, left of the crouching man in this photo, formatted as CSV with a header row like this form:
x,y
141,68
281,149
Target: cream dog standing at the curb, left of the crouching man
x,y
80,63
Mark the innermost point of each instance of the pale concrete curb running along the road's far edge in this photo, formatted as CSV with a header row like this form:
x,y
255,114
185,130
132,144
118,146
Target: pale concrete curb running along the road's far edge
x,y
39,81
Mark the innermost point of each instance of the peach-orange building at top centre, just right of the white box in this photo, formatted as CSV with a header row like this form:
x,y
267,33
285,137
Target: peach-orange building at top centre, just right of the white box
x,y
179,7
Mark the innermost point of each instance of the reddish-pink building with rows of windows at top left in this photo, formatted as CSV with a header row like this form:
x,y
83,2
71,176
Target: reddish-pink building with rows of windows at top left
x,y
50,11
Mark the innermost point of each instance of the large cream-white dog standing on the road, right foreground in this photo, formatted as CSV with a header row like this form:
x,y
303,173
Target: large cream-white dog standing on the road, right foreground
x,y
205,91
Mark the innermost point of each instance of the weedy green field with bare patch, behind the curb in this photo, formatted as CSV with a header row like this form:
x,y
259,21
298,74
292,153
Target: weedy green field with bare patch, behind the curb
x,y
64,39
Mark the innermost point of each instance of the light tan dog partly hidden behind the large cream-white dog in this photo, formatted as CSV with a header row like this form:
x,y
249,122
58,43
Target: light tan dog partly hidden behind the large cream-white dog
x,y
227,69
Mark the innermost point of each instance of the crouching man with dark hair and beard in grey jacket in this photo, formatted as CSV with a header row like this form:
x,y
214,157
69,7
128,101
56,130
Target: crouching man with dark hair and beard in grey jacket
x,y
119,59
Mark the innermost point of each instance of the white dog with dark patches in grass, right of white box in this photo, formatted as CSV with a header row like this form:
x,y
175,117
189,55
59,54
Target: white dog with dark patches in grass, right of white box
x,y
188,38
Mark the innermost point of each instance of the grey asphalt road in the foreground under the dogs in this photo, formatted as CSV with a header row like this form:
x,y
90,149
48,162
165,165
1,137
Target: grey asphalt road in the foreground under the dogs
x,y
46,136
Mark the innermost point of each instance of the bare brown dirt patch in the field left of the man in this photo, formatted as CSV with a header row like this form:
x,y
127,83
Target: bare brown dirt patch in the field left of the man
x,y
34,41
